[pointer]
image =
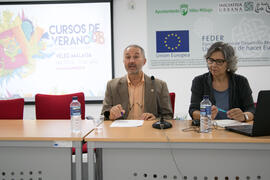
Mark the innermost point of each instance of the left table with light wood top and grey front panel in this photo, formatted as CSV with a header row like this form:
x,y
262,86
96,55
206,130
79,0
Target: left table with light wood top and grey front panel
x,y
40,149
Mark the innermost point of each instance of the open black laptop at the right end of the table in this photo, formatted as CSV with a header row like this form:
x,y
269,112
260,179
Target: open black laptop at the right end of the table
x,y
261,124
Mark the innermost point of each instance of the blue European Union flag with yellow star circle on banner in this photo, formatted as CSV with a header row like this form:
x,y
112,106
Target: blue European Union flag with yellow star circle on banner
x,y
172,41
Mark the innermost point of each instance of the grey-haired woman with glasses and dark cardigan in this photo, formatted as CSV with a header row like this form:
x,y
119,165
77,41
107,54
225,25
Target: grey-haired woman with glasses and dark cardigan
x,y
230,93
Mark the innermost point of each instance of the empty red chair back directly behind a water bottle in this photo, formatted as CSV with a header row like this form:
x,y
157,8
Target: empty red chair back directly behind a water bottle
x,y
57,106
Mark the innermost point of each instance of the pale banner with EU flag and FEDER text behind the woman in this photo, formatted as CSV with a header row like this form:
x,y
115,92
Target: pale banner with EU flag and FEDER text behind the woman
x,y
180,32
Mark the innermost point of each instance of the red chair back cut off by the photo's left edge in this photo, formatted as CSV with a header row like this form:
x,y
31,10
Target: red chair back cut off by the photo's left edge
x,y
11,108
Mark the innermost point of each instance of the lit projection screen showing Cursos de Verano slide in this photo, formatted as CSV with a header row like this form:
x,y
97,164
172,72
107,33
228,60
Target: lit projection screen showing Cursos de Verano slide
x,y
55,48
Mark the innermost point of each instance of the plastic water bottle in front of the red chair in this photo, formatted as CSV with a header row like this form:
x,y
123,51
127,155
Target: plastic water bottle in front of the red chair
x,y
75,115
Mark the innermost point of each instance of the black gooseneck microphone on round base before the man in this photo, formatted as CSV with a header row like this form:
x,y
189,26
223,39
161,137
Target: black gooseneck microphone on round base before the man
x,y
161,124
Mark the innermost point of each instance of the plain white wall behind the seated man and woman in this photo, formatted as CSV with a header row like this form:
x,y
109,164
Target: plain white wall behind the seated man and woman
x,y
130,28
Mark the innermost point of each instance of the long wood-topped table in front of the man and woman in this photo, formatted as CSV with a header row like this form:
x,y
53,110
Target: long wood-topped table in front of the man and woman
x,y
147,153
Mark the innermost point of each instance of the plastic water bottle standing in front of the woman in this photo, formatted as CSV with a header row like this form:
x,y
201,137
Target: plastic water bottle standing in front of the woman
x,y
205,115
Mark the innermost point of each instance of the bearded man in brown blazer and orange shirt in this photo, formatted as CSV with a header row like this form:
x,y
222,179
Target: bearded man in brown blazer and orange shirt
x,y
136,95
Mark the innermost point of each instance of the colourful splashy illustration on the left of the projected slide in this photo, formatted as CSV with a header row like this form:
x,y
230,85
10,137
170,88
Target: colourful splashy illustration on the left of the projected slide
x,y
20,42
